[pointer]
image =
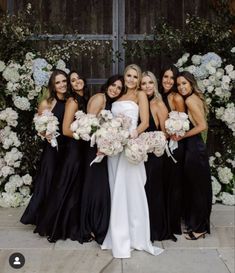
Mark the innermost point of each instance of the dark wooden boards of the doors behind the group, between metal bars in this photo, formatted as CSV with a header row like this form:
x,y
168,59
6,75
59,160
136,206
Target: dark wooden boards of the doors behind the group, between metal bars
x,y
95,17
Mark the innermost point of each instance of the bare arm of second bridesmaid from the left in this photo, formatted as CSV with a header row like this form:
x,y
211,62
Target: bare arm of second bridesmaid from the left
x,y
71,107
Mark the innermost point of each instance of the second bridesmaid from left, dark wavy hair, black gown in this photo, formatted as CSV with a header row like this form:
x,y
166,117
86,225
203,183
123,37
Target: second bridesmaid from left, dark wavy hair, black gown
x,y
62,209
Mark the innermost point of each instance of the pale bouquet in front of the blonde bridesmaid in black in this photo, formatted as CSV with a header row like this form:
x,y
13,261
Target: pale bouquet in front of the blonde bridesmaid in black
x,y
155,142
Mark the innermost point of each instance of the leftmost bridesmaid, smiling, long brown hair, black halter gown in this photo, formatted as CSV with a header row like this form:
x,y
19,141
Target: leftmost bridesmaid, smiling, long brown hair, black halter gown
x,y
50,157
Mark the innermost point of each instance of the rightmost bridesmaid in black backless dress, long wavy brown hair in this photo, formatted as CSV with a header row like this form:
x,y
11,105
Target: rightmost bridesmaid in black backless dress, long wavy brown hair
x,y
196,167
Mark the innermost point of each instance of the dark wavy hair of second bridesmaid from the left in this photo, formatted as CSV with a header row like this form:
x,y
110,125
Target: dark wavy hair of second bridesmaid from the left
x,y
82,100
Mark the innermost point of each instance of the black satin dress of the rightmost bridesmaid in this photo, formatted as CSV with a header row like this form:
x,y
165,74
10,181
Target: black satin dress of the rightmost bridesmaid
x,y
197,185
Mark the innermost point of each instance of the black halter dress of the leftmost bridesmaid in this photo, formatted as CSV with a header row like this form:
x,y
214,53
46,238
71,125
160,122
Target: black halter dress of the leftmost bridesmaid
x,y
49,160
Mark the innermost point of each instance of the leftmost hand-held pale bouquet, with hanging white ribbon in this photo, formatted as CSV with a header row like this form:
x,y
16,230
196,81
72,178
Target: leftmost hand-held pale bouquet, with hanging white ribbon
x,y
46,124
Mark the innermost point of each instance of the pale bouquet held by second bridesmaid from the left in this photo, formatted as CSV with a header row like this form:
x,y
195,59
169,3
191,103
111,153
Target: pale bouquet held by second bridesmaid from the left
x,y
84,125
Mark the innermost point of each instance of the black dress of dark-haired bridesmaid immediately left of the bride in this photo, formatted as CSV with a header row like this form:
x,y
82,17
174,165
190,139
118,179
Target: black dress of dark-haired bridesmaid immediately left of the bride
x,y
96,200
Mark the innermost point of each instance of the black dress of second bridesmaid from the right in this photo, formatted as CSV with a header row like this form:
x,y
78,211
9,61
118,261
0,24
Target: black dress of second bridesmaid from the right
x,y
173,183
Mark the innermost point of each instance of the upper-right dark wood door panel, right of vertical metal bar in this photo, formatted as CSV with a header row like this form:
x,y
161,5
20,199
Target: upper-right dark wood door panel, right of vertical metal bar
x,y
142,15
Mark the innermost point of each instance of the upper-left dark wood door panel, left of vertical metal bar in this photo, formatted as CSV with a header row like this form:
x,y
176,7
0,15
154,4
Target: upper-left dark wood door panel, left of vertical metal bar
x,y
70,16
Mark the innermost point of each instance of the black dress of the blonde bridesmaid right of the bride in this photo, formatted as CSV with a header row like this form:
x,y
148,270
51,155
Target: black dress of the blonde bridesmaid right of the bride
x,y
154,188
